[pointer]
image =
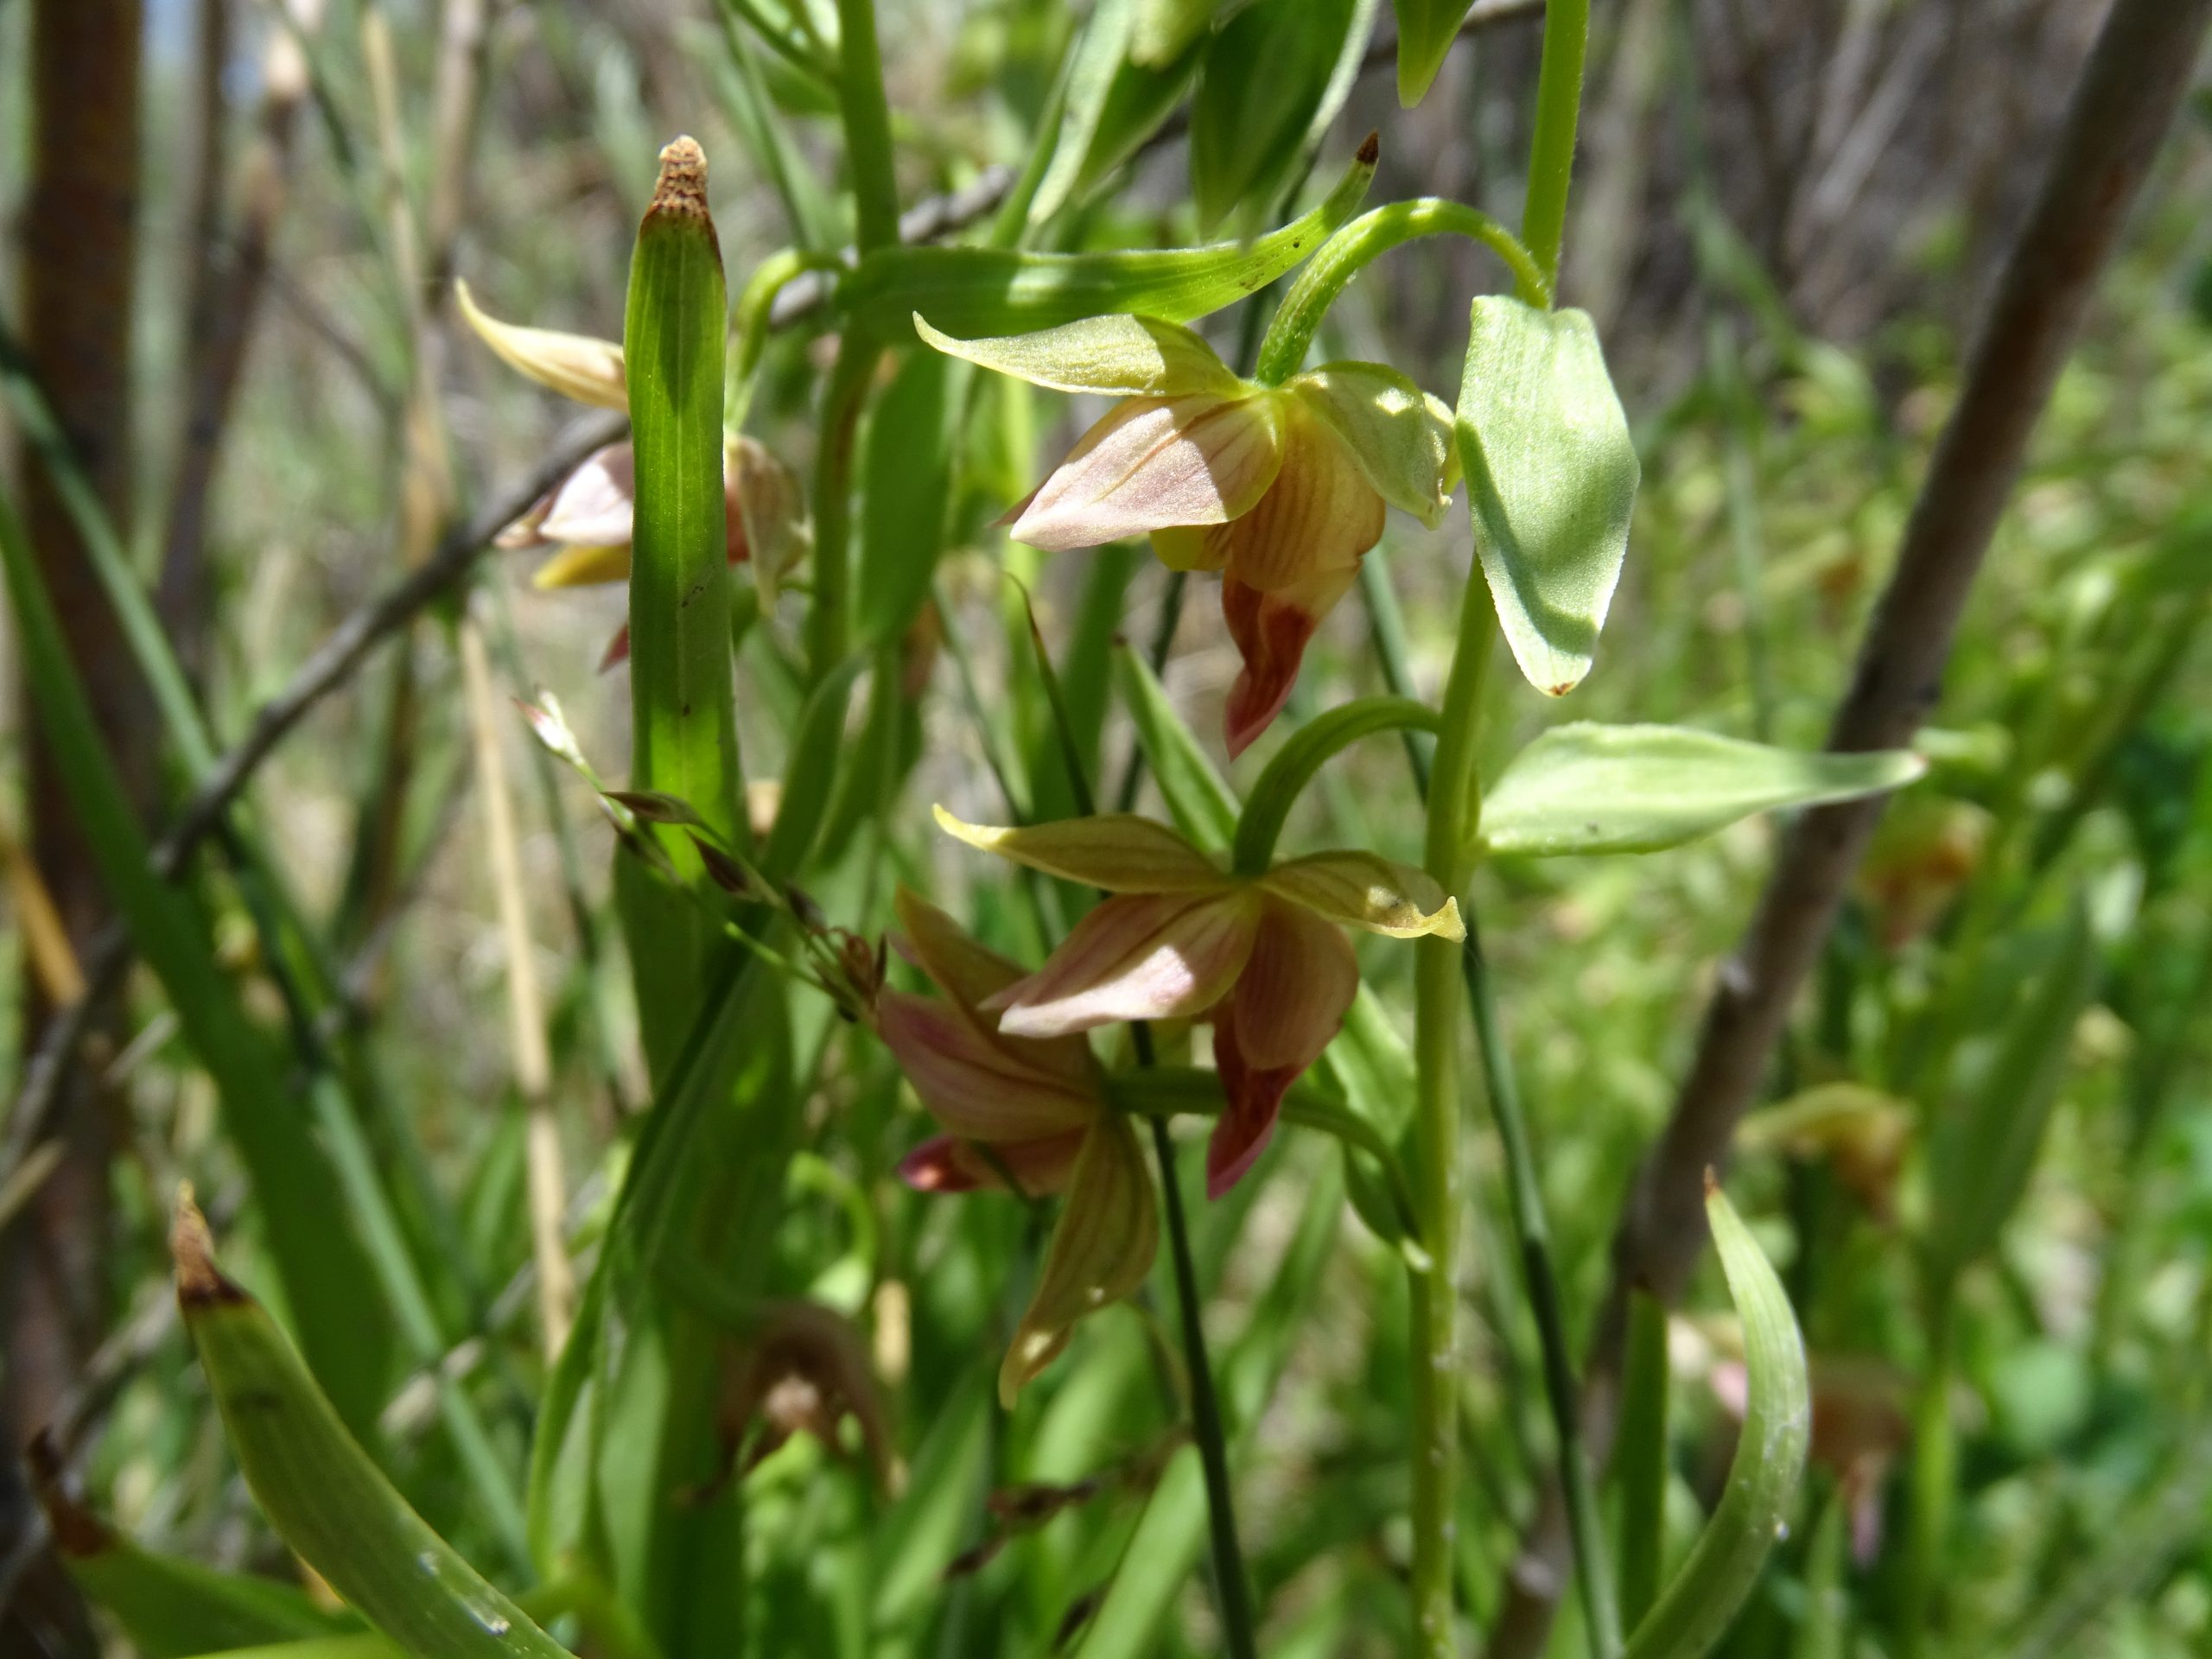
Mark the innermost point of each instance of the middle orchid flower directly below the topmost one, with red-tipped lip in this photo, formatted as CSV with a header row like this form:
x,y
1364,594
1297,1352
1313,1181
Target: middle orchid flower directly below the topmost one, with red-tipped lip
x,y
1178,939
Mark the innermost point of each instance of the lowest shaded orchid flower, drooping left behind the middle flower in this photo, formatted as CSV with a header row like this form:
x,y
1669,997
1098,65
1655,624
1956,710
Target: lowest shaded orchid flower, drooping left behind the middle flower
x,y
1023,1109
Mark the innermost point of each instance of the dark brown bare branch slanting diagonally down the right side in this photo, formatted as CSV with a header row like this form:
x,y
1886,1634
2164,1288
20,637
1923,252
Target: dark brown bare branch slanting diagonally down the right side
x,y
2120,112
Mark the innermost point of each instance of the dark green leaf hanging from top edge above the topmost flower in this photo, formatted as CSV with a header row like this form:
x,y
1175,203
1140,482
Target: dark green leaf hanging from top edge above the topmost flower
x,y
1262,83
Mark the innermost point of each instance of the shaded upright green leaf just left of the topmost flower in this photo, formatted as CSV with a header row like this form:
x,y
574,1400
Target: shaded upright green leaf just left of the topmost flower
x,y
906,488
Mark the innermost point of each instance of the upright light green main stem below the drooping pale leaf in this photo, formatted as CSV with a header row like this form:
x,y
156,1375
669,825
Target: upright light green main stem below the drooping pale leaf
x,y
1454,802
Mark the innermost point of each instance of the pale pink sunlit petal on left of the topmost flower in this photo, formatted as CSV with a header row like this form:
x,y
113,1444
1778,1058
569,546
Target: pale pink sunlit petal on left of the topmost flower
x,y
1154,463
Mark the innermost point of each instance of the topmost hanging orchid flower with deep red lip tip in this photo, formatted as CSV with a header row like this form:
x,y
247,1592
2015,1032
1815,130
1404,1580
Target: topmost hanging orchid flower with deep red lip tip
x,y
1280,490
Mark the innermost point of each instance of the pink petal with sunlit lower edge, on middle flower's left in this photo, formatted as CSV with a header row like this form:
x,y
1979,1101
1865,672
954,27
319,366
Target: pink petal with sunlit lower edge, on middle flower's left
x,y
1138,957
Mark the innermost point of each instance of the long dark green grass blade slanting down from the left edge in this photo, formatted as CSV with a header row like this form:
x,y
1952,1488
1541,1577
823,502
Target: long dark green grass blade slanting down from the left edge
x,y
328,1286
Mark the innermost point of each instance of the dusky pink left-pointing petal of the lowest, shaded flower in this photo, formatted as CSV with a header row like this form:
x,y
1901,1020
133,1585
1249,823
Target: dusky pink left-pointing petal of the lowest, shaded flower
x,y
972,1083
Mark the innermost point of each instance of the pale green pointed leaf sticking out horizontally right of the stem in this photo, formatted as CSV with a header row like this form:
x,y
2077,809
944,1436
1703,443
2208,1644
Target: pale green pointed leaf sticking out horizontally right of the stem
x,y
1640,789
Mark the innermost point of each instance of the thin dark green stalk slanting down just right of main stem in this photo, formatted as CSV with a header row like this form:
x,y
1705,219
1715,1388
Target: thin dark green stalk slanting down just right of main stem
x,y
1532,1229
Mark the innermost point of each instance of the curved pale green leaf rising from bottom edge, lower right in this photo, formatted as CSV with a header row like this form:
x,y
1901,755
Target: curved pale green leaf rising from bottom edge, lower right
x,y
1771,1457
